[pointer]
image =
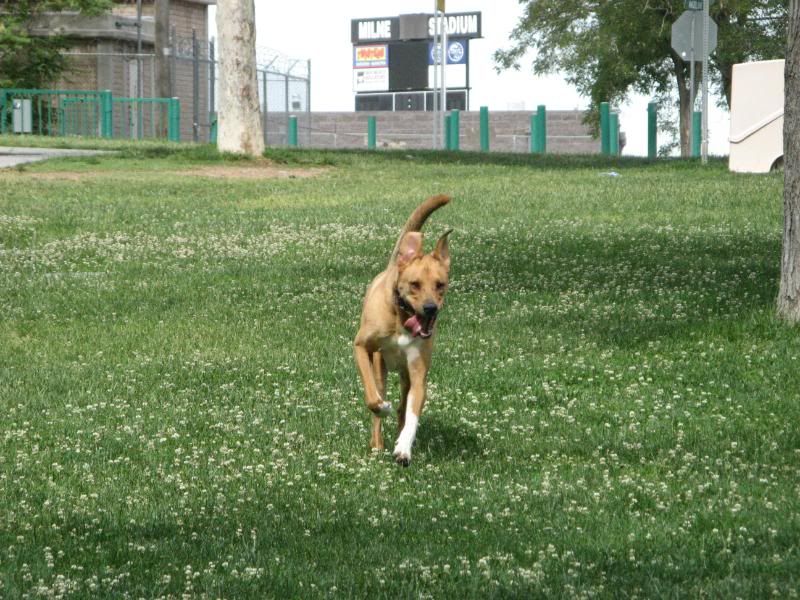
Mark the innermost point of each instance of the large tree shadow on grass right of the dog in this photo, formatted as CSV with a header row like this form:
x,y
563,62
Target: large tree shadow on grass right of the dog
x,y
619,292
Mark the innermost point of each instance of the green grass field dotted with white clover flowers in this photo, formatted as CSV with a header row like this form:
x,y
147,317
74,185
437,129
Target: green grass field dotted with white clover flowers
x,y
614,410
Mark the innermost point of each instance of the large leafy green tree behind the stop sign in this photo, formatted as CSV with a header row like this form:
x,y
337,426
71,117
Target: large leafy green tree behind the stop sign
x,y
608,48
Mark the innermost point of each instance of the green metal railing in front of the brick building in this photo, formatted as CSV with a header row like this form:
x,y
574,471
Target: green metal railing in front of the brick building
x,y
88,113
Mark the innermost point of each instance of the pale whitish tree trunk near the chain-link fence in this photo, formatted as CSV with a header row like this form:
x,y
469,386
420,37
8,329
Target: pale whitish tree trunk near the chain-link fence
x,y
239,118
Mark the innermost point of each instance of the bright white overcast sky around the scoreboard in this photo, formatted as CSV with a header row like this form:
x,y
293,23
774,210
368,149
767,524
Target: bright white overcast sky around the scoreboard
x,y
320,31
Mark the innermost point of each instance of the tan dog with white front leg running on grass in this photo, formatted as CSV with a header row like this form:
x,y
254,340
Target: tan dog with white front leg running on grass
x,y
397,325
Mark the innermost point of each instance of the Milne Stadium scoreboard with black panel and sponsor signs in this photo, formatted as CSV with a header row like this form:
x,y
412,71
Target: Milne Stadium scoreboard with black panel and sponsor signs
x,y
393,59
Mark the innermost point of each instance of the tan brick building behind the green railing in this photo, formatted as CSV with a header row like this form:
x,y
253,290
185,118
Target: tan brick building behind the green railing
x,y
103,55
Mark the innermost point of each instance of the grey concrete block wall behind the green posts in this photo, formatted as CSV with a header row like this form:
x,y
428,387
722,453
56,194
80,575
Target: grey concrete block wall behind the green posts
x,y
509,131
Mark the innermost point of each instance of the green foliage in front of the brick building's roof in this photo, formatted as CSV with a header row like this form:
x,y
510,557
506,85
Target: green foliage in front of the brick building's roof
x,y
35,62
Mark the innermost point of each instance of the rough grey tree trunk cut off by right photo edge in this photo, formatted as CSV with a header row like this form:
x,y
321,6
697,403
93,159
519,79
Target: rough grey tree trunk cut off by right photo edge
x,y
789,292
